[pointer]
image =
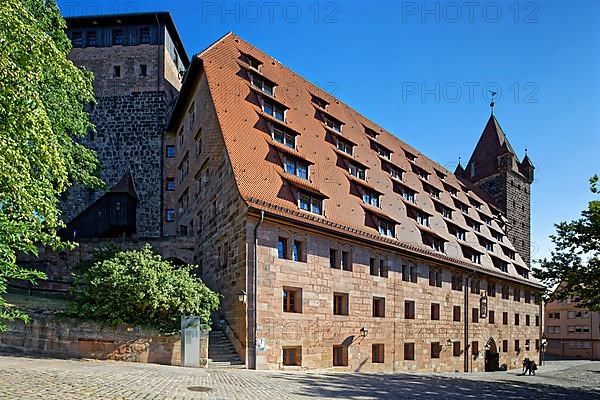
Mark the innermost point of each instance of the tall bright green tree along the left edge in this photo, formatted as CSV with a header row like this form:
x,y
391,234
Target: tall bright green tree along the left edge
x,y
42,113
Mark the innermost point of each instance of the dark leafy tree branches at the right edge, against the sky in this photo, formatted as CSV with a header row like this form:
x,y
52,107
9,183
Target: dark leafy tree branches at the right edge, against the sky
x,y
574,263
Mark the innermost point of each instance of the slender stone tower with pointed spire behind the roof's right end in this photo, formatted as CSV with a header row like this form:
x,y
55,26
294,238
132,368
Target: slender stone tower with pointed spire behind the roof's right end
x,y
495,168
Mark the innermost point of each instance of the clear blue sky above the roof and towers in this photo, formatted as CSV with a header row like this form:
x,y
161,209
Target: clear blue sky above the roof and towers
x,y
422,70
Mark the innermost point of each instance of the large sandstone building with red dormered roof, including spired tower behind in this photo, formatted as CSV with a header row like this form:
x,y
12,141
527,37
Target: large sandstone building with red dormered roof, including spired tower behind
x,y
351,249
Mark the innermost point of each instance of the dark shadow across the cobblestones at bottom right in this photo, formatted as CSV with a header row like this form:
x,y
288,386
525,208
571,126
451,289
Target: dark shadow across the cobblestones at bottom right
x,y
406,386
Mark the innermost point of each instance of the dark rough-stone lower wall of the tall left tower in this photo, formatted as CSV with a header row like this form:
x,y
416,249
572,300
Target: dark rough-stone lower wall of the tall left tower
x,y
128,137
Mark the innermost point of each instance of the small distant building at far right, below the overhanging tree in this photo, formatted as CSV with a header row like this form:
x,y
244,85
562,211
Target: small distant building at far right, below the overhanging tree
x,y
571,331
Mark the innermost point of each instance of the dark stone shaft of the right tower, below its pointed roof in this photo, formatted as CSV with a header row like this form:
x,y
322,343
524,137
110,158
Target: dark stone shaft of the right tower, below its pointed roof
x,y
511,192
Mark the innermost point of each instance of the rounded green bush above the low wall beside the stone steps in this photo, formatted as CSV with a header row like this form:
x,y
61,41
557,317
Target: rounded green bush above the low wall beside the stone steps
x,y
139,287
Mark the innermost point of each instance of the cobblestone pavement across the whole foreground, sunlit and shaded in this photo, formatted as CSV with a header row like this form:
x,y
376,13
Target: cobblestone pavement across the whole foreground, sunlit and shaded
x,y
43,378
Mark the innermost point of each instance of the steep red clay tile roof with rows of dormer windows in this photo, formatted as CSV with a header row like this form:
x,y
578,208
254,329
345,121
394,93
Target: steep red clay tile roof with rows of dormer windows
x,y
344,211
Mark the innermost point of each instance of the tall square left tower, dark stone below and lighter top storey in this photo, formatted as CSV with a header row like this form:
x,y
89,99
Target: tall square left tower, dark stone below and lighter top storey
x,y
138,61
